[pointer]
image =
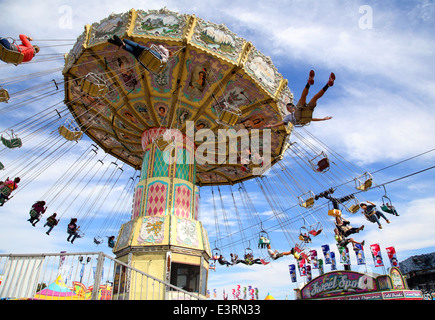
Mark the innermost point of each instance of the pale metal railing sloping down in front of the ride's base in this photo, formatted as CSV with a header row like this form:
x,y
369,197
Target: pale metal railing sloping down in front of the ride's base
x,y
80,276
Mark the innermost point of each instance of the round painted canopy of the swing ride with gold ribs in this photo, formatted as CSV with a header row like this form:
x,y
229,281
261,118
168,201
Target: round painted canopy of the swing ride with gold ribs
x,y
215,80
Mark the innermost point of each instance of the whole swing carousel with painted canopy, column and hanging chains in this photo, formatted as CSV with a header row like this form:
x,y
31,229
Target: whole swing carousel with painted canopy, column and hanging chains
x,y
130,115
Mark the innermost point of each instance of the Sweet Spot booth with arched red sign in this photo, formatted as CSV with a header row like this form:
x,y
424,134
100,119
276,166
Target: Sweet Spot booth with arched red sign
x,y
350,285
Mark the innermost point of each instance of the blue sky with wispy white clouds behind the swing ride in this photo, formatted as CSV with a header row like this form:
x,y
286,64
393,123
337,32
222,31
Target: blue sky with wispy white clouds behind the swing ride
x,y
382,106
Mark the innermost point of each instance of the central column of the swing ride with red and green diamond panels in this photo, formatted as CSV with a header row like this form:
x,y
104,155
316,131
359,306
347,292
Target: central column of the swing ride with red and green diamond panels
x,y
164,237
